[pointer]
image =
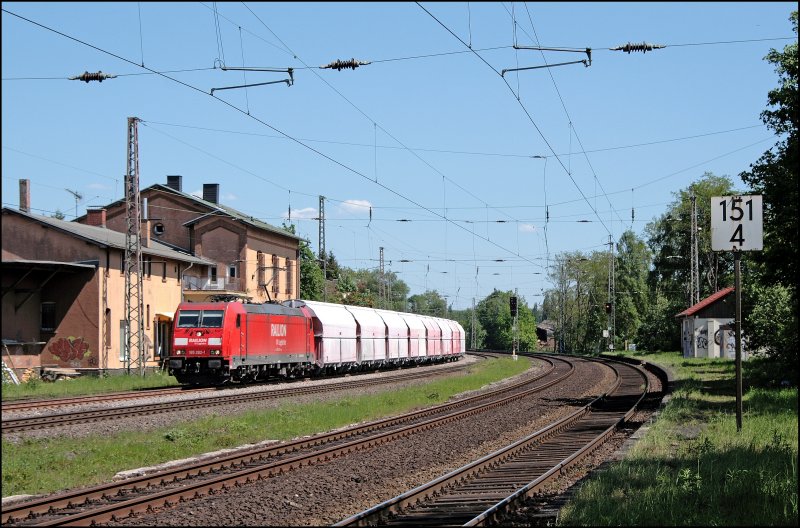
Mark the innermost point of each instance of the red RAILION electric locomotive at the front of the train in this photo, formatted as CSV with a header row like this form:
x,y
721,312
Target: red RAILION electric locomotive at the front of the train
x,y
229,341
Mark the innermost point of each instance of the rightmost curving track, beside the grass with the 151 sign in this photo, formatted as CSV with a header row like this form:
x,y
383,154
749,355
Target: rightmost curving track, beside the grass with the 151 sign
x,y
483,491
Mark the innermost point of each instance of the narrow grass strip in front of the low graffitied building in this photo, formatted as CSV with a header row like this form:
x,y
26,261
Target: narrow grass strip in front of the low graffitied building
x,y
36,388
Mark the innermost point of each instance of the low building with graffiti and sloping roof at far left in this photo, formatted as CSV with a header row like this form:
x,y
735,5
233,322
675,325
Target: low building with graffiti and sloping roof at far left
x,y
63,293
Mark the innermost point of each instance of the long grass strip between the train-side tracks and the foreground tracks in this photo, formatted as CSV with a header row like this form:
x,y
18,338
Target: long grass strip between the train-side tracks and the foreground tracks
x,y
47,465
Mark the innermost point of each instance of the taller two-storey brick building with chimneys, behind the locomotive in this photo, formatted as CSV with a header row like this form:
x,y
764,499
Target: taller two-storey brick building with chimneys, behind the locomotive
x,y
253,259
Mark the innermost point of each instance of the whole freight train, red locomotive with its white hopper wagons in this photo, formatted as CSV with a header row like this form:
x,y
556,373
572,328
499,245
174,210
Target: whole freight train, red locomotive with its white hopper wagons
x,y
221,342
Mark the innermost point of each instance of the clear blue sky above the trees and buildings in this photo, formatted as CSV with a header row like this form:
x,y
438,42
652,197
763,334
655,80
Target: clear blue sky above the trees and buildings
x,y
470,177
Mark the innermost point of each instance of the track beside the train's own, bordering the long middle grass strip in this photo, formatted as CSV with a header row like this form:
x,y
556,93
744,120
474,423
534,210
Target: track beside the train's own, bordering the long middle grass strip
x,y
14,425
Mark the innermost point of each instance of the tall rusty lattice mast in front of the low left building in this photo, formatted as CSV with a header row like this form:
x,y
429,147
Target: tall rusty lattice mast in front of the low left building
x,y
134,335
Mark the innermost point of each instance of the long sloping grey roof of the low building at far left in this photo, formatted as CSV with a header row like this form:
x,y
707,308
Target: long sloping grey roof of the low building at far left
x,y
105,237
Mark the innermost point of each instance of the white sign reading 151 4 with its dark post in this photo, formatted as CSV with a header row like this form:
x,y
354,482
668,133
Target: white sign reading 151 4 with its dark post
x,y
737,225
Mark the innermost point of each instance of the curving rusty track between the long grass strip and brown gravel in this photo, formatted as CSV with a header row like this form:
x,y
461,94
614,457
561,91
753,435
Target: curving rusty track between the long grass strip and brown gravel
x,y
118,500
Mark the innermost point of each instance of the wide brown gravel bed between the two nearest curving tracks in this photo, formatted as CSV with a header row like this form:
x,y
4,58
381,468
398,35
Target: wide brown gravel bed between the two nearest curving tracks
x,y
326,493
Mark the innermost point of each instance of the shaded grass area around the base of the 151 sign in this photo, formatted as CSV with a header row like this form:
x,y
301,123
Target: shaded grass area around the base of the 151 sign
x,y
693,468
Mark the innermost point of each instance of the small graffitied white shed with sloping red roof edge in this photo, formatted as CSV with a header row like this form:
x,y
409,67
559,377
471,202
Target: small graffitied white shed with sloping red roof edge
x,y
707,327
